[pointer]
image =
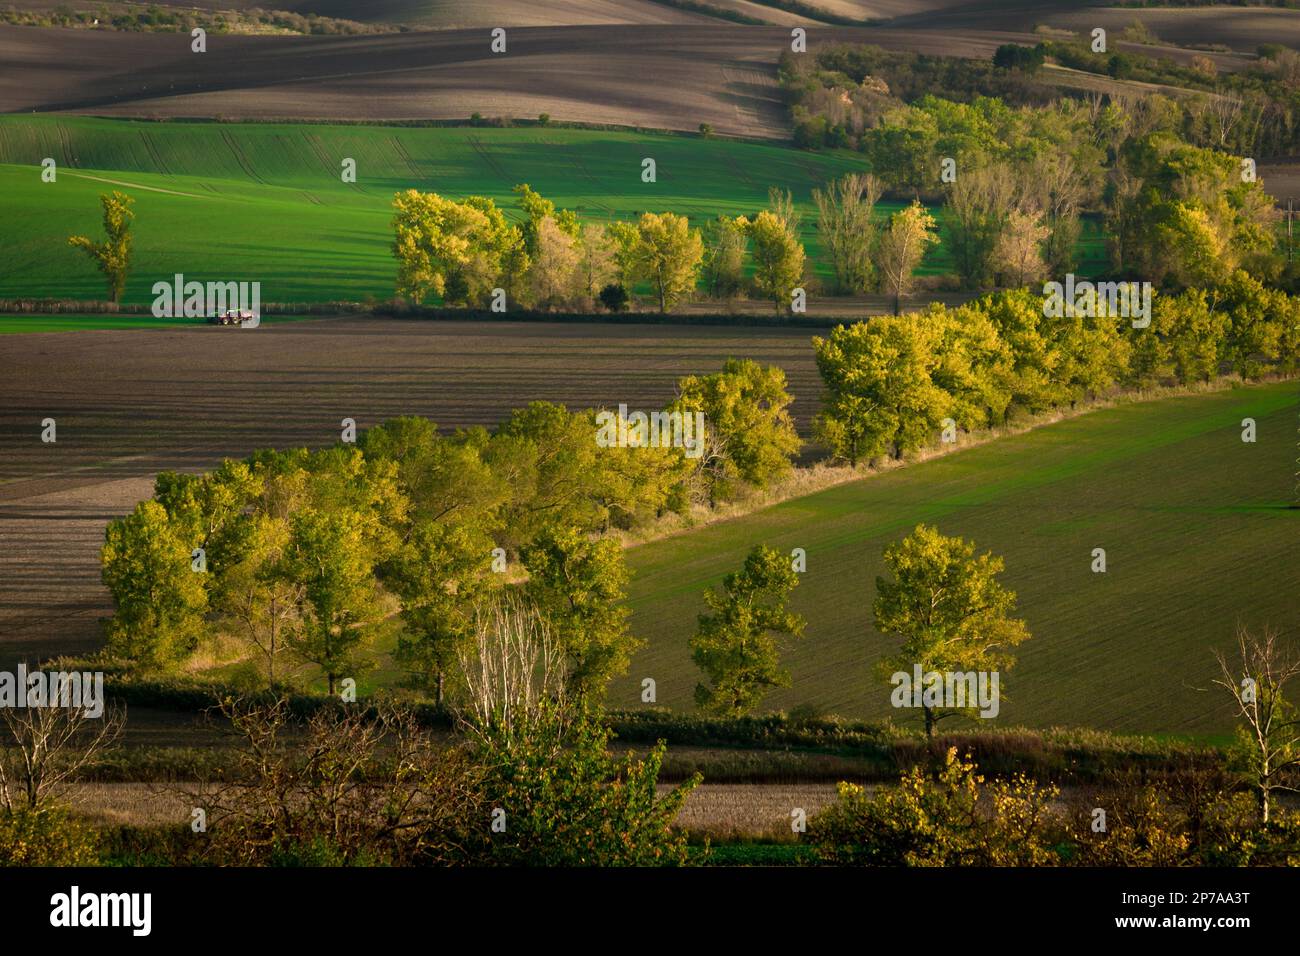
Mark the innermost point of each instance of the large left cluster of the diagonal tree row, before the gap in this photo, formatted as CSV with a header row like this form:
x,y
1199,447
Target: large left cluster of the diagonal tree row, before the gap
x,y
306,555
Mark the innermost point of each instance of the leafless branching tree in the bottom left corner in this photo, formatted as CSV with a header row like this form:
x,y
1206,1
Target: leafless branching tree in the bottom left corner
x,y
44,750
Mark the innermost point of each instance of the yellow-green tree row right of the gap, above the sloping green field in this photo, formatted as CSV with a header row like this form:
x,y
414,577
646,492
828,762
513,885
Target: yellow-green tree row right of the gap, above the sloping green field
x,y
892,383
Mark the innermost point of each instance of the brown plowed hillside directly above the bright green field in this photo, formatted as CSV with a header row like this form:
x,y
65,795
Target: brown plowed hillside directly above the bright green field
x,y
665,77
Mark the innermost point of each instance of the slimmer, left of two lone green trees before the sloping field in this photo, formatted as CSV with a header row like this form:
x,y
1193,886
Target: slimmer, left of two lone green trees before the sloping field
x,y
736,647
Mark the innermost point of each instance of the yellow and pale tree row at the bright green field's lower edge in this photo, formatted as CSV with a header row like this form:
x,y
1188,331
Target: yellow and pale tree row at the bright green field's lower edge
x,y
465,252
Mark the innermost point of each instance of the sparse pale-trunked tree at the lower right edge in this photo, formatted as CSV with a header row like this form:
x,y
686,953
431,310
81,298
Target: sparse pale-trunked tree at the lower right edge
x,y
1272,726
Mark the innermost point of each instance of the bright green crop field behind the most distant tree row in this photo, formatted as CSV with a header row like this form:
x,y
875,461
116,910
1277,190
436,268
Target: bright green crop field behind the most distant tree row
x,y
267,202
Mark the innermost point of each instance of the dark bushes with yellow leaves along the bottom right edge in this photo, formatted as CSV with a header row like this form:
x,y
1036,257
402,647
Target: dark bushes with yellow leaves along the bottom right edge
x,y
947,816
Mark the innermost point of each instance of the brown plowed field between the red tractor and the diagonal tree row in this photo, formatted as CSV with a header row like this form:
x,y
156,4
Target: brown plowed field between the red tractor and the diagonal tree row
x,y
129,404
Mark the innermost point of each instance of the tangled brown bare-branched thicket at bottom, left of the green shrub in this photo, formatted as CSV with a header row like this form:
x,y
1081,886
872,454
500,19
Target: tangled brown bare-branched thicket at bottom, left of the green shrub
x,y
366,784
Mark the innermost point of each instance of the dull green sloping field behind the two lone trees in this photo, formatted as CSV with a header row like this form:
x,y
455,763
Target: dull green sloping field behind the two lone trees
x,y
1195,526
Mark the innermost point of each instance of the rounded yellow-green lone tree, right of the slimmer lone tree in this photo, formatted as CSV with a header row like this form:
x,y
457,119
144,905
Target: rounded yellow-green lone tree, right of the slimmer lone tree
x,y
948,608
